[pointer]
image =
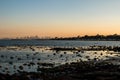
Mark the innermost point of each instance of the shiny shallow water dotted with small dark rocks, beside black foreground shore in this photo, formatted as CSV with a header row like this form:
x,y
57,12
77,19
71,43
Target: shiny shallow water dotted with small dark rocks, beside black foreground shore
x,y
12,57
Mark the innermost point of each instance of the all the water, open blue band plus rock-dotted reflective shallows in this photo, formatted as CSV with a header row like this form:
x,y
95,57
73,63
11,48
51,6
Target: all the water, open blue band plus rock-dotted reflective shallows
x,y
15,55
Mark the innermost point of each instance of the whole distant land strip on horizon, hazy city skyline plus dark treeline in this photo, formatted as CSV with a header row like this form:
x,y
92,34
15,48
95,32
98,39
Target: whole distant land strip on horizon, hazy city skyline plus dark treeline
x,y
114,37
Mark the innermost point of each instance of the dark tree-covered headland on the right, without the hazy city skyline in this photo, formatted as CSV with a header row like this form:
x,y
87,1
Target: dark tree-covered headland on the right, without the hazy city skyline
x,y
97,37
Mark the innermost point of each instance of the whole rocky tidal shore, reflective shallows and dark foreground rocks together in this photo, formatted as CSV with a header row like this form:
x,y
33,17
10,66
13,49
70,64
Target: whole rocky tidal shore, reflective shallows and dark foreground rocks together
x,y
59,63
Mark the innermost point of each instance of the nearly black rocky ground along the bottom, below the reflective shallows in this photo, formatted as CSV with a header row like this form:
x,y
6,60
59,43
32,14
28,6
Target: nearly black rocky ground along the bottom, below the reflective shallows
x,y
74,71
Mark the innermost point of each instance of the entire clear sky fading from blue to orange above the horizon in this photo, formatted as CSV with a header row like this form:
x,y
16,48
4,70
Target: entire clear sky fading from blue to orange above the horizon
x,y
58,18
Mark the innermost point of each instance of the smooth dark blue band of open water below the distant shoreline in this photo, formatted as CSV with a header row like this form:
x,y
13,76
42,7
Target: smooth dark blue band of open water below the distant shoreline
x,y
61,43
